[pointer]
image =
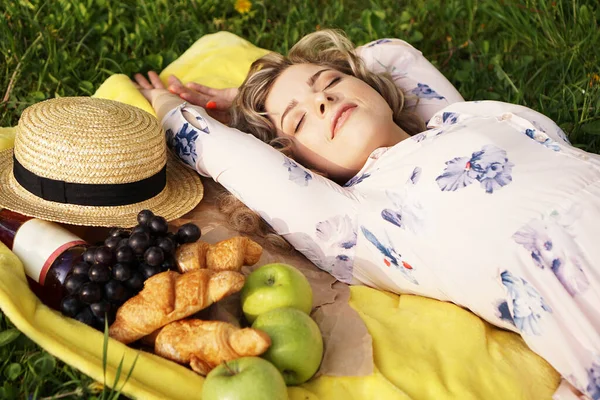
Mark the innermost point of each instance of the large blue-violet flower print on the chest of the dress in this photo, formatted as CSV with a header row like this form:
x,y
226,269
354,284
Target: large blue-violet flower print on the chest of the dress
x,y
489,166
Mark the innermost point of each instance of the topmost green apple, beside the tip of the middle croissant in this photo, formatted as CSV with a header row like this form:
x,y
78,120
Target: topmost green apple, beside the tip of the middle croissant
x,y
273,286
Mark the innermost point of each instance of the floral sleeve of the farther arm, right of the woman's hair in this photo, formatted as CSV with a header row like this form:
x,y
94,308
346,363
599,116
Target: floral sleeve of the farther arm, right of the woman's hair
x,y
427,91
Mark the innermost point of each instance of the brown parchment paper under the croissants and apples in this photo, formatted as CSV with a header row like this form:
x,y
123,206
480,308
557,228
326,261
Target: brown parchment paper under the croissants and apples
x,y
347,343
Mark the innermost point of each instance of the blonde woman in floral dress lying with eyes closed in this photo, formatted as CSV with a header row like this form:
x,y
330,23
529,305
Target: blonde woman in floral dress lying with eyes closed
x,y
379,172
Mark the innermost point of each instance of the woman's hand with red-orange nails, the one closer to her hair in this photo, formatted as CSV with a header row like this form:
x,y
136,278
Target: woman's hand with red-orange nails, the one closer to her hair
x,y
216,101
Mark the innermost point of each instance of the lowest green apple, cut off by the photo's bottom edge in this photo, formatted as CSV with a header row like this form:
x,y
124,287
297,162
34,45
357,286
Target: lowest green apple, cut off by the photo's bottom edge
x,y
246,378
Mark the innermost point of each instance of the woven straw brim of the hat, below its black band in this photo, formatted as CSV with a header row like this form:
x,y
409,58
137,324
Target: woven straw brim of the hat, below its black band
x,y
181,194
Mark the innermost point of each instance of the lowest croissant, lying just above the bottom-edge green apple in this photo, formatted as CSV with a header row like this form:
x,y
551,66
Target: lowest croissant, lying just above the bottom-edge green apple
x,y
206,344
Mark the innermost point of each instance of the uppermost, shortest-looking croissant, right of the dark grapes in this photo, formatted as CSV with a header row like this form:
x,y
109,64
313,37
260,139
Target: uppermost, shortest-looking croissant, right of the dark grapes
x,y
230,255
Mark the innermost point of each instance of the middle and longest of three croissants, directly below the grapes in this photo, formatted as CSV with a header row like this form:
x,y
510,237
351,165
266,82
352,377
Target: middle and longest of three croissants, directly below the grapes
x,y
170,296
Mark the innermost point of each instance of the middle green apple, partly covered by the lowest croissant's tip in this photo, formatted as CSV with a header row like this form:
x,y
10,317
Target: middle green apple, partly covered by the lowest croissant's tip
x,y
296,343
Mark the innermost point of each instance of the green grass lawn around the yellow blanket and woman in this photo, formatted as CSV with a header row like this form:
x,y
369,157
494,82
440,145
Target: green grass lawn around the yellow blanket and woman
x,y
542,54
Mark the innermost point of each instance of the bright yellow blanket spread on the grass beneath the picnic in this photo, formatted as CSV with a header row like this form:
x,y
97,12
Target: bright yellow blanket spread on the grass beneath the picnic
x,y
423,348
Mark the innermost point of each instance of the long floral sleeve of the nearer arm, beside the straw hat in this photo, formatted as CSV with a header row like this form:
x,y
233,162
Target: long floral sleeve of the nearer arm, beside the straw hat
x,y
317,216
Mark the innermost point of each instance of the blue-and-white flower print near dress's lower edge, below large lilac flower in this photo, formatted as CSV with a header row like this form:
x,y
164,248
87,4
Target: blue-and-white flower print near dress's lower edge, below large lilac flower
x,y
528,305
